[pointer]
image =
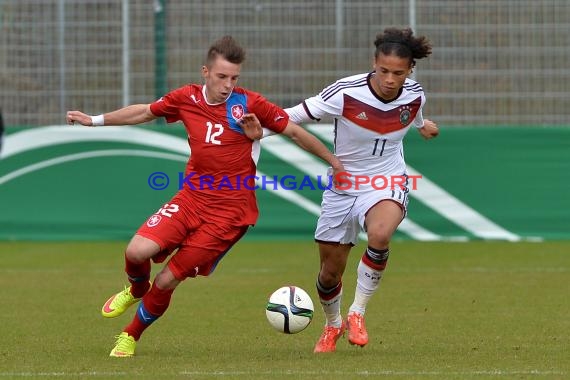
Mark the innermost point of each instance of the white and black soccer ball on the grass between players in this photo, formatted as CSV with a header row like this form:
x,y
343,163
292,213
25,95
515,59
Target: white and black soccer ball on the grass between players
x,y
289,310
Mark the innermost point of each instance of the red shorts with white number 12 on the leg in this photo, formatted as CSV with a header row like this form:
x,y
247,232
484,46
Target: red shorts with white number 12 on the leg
x,y
200,243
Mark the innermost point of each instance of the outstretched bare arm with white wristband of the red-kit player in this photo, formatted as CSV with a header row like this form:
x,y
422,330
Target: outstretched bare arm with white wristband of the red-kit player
x,y
129,115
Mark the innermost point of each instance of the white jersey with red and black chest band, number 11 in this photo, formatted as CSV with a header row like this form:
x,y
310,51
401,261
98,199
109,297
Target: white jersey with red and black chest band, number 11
x,y
368,131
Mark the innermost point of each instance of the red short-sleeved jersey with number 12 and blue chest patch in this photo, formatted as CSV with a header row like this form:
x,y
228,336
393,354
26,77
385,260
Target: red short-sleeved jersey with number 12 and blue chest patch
x,y
219,176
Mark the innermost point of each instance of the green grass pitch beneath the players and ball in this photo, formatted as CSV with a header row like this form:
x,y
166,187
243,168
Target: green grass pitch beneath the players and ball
x,y
480,310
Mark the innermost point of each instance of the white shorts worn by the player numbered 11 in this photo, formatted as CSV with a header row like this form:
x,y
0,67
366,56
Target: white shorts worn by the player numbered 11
x,y
342,215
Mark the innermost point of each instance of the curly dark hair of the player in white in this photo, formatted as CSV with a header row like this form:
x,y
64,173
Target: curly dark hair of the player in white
x,y
402,43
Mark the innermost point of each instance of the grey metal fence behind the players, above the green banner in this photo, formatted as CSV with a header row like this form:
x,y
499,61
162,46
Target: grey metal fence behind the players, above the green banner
x,y
494,62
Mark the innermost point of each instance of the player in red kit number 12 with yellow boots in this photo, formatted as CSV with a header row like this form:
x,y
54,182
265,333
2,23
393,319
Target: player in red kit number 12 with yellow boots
x,y
217,203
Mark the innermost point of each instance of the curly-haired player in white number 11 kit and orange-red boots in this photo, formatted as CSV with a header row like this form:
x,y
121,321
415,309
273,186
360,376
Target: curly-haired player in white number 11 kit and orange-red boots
x,y
372,113
